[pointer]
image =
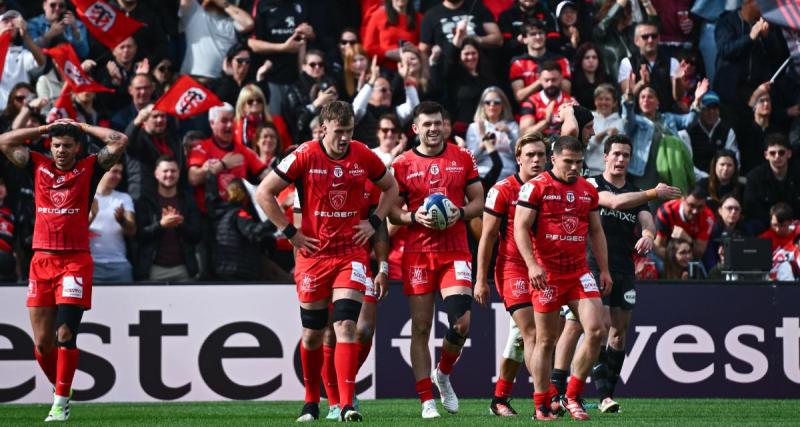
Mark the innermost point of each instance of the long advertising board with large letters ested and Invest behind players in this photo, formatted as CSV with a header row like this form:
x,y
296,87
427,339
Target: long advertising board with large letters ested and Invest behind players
x,y
219,342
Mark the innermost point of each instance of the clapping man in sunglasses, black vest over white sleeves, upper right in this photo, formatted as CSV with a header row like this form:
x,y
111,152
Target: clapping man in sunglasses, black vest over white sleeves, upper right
x,y
654,65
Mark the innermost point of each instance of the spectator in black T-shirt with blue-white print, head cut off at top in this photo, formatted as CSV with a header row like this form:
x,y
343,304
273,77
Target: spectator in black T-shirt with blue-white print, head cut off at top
x,y
443,21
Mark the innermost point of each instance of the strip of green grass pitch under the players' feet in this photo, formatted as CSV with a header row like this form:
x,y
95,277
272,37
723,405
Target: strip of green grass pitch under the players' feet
x,y
406,412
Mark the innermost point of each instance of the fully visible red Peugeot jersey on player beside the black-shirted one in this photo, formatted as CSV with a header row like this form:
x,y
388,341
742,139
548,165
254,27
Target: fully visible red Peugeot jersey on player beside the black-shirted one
x,y
562,220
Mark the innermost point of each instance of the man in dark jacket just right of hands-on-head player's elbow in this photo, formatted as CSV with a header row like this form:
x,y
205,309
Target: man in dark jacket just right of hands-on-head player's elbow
x,y
149,139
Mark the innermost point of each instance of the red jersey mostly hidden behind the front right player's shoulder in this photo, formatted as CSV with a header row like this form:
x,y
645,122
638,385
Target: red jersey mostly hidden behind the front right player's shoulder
x,y
501,201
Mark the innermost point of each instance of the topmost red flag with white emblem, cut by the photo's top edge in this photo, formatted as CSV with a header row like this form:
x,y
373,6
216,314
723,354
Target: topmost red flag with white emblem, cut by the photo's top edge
x,y
106,23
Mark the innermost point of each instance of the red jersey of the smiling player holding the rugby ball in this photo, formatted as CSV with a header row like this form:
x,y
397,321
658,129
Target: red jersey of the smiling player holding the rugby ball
x,y
448,173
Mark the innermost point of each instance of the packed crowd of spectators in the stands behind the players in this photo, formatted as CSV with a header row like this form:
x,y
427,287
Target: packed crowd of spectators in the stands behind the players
x,y
689,81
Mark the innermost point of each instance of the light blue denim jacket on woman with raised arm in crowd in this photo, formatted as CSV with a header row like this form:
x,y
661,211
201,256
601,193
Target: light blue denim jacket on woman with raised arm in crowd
x,y
640,130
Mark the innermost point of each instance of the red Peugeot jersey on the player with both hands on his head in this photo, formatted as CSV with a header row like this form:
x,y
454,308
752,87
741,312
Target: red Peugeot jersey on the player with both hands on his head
x,y
63,201
